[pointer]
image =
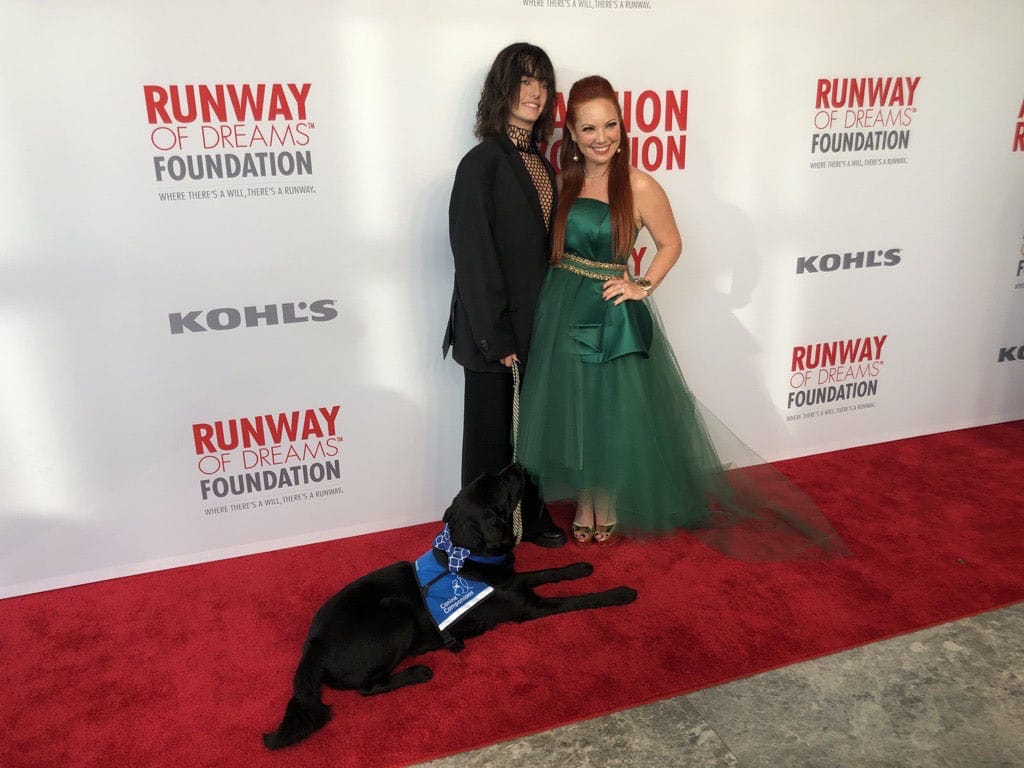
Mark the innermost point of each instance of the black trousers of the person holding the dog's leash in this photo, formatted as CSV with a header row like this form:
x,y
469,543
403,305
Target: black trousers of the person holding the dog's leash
x,y
487,439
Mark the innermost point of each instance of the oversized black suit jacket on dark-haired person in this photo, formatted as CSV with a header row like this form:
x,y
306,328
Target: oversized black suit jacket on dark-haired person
x,y
501,247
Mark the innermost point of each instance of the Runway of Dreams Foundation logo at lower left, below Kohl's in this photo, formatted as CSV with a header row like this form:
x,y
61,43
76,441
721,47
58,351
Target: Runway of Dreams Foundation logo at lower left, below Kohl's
x,y
269,459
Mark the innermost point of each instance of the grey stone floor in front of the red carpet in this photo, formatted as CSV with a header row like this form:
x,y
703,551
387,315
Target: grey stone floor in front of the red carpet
x,y
950,697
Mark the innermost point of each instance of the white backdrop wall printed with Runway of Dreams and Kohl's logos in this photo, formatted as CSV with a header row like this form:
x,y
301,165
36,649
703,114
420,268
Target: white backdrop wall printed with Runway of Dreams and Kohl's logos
x,y
225,271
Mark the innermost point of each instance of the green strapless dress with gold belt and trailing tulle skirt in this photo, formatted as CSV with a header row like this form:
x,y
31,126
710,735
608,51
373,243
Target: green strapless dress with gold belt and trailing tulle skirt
x,y
606,409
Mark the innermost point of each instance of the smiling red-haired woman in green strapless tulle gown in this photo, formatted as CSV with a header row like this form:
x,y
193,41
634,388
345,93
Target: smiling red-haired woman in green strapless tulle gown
x,y
607,418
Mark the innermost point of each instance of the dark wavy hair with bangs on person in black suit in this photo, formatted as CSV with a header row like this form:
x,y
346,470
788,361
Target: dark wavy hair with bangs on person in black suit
x,y
501,91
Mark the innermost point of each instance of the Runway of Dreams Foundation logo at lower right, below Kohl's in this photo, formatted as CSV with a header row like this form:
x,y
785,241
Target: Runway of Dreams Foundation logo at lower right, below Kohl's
x,y
838,376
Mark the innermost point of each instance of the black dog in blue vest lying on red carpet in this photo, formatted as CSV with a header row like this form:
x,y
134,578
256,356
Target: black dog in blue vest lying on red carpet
x,y
361,634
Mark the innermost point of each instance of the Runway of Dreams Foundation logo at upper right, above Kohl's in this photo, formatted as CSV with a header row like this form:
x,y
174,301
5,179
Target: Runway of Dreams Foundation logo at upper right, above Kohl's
x,y
859,119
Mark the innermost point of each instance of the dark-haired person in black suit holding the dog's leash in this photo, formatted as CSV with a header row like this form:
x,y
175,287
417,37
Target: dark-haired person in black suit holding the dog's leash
x,y
499,225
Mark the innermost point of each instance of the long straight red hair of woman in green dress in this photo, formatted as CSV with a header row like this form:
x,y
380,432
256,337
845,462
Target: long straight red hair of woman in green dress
x,y
620,192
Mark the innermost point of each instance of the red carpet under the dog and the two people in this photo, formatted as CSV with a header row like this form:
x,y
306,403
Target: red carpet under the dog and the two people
x,y
188,667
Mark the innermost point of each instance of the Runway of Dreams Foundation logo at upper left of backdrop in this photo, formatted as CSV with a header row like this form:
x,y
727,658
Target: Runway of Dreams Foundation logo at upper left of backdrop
x,y
231,133
